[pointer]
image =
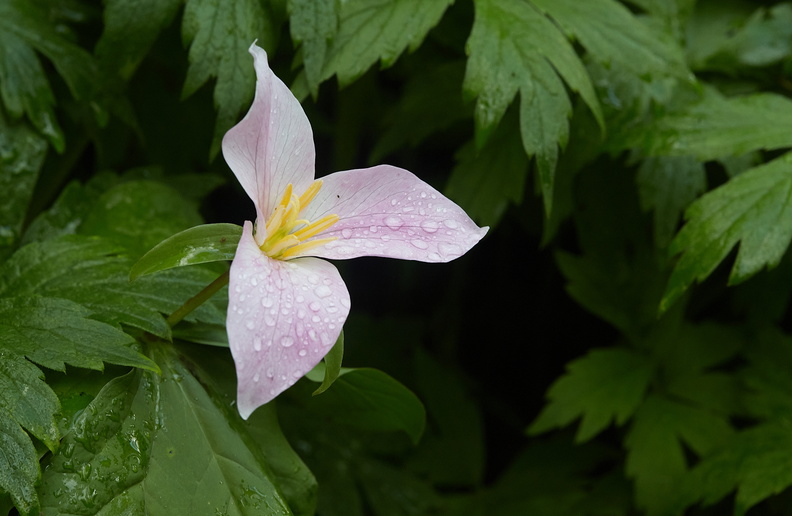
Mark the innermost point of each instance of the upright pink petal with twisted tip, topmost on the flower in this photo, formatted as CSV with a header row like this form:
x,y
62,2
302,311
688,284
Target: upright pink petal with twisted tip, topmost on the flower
x,y
273,145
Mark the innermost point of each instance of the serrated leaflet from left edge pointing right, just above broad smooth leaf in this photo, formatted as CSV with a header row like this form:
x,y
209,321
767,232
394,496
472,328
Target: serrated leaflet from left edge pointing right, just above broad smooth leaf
x,y
54,332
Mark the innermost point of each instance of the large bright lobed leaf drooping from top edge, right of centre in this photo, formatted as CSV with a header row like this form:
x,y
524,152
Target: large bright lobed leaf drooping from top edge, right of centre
x,y
514,47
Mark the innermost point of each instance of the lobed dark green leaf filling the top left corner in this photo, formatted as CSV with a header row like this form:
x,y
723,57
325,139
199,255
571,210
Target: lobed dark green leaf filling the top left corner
x,y
25,27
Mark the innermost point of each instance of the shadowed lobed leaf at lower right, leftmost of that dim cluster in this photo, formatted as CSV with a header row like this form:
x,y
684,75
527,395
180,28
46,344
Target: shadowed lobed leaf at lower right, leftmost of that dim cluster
x,y
605,386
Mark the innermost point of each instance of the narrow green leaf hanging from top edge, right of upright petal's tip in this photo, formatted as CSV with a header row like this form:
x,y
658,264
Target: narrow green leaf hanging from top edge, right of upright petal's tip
x,y
313,24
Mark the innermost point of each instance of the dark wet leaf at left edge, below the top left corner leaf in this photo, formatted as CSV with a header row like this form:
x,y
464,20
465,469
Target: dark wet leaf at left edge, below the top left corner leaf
x,y
22,154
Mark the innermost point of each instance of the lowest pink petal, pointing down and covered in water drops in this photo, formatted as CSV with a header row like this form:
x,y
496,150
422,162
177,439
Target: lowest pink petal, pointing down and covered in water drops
x,y
283,317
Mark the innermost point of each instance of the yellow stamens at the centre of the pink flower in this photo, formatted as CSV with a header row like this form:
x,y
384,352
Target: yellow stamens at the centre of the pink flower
x,y
286,233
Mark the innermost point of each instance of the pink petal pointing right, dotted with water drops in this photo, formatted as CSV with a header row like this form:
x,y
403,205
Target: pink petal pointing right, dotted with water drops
x,y
387,211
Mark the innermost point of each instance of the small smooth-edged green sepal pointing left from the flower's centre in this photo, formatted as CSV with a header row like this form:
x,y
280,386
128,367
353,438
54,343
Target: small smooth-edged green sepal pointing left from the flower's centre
x,y
200,244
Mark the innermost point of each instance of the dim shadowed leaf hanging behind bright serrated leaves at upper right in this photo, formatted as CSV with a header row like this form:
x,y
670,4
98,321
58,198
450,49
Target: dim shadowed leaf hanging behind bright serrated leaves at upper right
x,y
668,185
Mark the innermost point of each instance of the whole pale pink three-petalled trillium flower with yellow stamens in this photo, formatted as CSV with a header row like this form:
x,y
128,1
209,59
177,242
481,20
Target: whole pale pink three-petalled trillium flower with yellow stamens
x,y
286,305
